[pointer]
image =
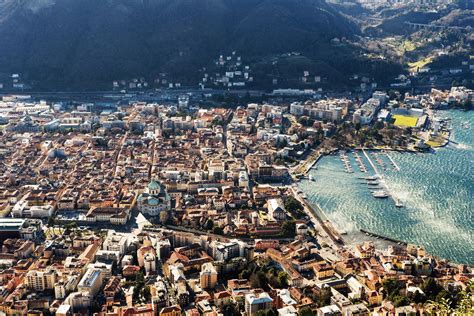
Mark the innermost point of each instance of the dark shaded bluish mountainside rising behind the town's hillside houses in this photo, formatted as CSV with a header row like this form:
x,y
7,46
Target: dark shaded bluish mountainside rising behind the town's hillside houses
x,y
71,42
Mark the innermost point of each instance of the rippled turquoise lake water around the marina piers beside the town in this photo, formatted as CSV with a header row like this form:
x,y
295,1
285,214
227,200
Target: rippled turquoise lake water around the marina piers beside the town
x,y
436,189
